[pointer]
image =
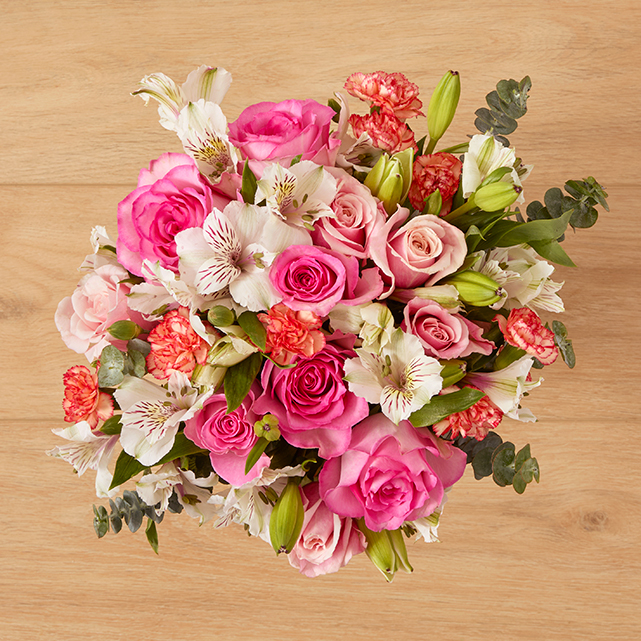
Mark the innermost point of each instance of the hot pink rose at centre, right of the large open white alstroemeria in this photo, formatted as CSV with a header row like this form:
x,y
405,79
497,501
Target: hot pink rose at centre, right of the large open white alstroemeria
x,y
316,279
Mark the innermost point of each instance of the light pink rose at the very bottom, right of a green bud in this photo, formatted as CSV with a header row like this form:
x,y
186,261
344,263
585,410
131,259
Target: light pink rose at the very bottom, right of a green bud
x,y
327,541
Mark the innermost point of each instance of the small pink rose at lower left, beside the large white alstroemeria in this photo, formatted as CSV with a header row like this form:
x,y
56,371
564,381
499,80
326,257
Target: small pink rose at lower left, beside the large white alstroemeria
x,y
228,437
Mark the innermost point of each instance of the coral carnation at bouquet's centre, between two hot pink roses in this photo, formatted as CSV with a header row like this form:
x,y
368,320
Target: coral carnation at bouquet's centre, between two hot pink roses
x,y
291,333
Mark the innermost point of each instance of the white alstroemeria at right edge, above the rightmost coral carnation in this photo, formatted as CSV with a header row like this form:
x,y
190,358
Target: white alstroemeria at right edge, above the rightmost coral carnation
x,y
524,276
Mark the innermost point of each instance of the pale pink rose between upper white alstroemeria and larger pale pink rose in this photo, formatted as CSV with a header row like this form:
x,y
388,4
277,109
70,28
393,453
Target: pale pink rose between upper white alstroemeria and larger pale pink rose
x,y
358,215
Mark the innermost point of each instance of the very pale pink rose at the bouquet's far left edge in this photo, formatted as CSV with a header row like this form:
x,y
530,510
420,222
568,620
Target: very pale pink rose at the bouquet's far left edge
x,y
100,299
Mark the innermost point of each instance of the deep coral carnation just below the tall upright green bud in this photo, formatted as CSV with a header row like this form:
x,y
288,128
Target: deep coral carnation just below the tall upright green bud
x,y
440,171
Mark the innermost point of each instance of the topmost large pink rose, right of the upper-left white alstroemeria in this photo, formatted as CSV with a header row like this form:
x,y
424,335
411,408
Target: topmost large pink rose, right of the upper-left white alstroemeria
x,y
281,131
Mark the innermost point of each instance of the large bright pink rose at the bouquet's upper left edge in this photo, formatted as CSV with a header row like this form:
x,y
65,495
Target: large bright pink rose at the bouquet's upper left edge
x,y
171,196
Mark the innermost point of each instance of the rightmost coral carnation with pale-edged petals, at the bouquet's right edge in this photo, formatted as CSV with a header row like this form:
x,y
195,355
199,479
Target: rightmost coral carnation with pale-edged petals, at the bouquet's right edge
x,y
523,329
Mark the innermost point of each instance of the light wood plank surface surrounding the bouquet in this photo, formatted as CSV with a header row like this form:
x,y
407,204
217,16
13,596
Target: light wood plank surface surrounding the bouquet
x,y
560,562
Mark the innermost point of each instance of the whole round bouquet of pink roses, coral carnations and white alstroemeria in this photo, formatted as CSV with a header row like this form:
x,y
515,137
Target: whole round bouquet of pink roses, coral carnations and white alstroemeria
x,y
311,322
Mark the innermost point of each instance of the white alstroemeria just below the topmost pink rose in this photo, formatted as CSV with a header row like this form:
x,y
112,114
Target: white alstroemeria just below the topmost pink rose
x,y
299,195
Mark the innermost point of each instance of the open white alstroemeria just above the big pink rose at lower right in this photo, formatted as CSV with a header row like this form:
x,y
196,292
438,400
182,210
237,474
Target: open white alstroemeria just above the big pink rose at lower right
x,y
401,378
